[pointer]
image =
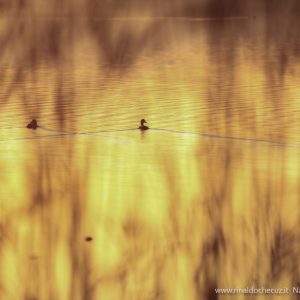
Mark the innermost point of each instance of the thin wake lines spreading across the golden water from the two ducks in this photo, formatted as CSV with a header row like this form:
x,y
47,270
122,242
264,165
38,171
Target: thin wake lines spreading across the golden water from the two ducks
x,y
61,133
